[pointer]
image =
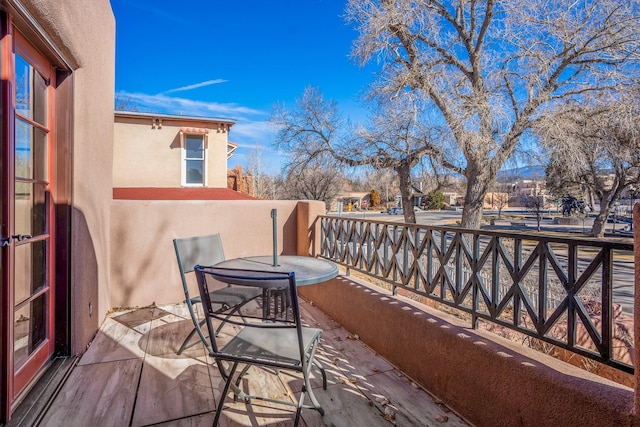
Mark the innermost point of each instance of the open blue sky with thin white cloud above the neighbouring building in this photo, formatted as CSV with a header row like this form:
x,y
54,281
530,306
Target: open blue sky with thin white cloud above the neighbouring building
x,y
235,59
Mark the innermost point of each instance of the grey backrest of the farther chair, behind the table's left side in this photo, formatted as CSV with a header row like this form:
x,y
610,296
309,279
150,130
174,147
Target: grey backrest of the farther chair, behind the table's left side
x,y
199,250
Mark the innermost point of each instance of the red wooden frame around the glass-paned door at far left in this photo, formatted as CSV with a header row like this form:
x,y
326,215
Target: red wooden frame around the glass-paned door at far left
x,y
12,383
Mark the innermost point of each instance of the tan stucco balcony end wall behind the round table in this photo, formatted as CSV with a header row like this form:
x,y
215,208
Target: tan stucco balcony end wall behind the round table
x,y
144,268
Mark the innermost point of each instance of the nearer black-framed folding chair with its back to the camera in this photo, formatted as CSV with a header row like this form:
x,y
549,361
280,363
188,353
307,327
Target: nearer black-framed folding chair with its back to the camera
x,y
268,339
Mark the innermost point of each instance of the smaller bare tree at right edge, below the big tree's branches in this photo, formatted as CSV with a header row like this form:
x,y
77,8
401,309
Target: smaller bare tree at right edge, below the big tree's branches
x,y
599,148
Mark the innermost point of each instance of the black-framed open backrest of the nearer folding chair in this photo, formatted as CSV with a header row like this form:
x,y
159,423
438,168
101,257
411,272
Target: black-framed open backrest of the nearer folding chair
x,y
284,285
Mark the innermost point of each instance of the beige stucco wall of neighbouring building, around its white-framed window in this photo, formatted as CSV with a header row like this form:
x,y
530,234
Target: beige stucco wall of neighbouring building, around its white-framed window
x,y
148,157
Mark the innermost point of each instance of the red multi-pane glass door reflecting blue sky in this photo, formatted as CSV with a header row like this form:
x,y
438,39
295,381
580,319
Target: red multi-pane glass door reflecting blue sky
x,y
32,214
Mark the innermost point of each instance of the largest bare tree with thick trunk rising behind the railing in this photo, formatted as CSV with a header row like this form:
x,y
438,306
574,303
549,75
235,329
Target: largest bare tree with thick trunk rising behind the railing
x,y
490,68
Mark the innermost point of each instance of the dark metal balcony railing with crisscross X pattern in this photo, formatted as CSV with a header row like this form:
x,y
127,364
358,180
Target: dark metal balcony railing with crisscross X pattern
x,y
555,289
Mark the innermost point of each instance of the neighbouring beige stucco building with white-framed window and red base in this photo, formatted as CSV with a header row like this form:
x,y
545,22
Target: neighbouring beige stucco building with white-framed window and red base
x,y
171,157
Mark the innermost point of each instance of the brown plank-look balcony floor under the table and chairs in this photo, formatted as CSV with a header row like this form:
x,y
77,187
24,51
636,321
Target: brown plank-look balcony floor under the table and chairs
x,y
131,376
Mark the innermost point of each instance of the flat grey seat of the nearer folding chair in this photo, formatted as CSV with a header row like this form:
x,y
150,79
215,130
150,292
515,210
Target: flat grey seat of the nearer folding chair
x,y
270,345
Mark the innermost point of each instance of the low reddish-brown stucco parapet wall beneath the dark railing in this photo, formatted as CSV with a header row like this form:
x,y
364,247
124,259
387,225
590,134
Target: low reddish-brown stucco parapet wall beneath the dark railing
x,y
487,379
